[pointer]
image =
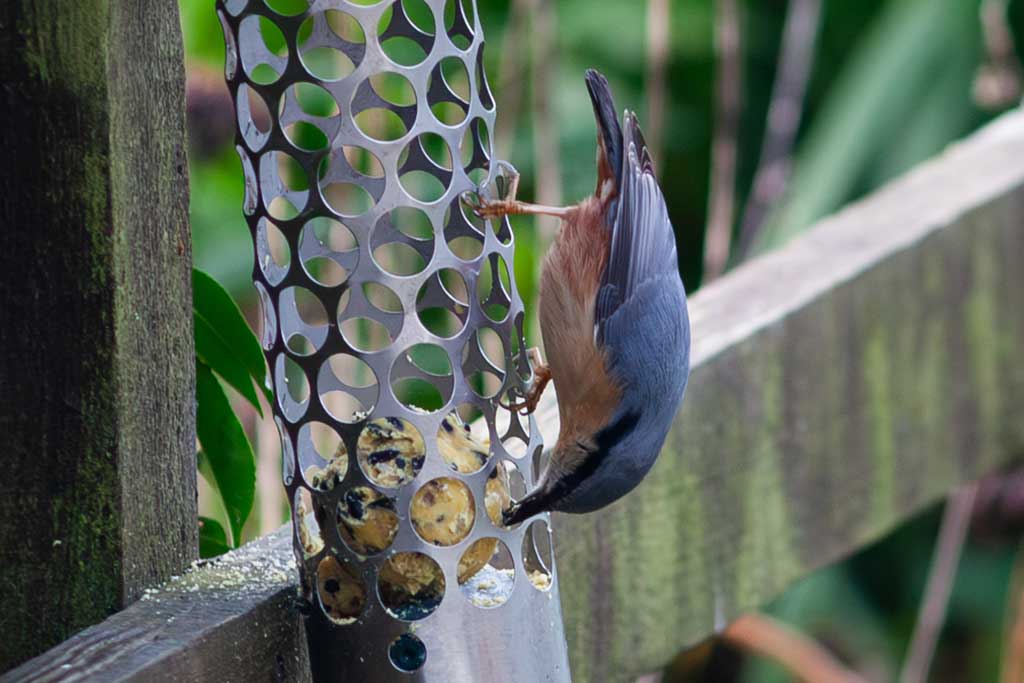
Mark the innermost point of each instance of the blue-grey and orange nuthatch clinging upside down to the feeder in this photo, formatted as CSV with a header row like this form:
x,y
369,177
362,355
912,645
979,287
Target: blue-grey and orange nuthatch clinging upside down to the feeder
x,y
615,325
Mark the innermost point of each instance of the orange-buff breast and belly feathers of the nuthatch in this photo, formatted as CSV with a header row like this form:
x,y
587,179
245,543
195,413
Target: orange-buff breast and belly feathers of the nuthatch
x,y
587,395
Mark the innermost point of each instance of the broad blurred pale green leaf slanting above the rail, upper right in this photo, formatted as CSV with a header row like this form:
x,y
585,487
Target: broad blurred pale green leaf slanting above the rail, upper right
x,y
870,109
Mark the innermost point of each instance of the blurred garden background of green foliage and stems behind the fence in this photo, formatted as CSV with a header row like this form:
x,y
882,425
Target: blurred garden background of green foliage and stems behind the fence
x,y
762,117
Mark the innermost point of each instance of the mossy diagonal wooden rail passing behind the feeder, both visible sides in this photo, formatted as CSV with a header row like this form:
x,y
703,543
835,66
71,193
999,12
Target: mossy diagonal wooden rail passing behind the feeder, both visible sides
x,y
840,385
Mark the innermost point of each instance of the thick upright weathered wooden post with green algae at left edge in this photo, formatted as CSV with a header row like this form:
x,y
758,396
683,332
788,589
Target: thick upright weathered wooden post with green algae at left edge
x,y
99,494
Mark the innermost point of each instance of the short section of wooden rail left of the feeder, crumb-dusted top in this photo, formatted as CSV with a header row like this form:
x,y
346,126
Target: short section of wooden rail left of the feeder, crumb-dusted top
x,y
230,621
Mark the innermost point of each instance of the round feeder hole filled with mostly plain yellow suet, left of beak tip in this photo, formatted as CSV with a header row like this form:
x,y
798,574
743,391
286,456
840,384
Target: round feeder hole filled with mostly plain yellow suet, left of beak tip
x,y
443,511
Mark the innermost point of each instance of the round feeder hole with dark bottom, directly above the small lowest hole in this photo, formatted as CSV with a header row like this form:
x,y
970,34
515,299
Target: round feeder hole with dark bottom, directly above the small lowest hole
x,y
411,586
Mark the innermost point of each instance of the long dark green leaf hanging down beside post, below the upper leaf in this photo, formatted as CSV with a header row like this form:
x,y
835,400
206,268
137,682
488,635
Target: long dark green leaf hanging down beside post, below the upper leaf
x,y
228,451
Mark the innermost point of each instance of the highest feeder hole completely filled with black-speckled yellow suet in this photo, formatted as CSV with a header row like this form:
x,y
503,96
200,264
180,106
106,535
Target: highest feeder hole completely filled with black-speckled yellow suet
x,y
391,452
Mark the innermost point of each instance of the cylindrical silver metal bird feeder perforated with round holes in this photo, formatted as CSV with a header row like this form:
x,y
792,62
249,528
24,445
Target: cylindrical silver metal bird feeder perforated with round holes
x,y
391,322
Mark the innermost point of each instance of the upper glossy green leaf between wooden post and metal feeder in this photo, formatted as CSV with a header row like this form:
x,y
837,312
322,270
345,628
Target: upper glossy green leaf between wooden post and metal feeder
x,y
224,340
